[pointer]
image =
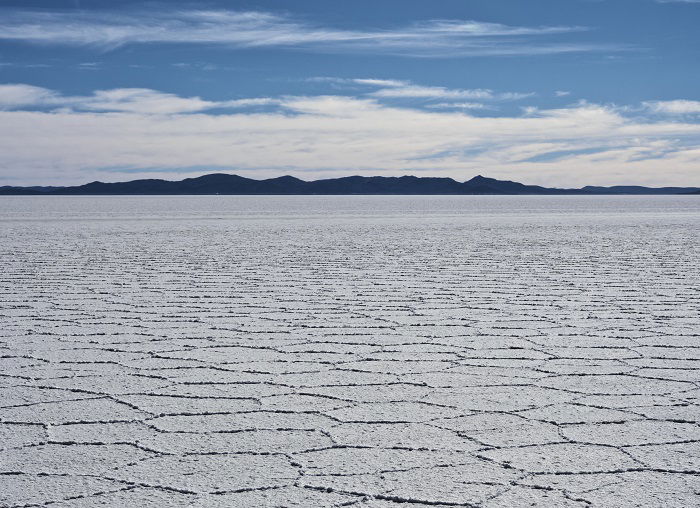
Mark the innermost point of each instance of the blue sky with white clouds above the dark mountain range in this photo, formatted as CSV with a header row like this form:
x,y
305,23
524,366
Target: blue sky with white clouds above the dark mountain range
x,y
551,92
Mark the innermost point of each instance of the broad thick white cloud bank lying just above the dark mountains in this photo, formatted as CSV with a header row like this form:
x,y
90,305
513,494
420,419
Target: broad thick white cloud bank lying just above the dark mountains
x,y
331,135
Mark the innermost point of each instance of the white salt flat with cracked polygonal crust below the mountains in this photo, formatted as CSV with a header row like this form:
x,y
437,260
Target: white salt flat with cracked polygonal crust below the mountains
x,y
350,351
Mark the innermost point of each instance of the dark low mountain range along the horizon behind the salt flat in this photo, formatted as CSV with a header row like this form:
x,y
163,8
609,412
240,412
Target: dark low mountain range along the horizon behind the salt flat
x,y
232,184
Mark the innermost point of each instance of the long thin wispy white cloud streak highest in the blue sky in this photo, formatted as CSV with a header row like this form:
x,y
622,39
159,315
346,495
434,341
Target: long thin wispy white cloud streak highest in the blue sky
x,y
236,29
